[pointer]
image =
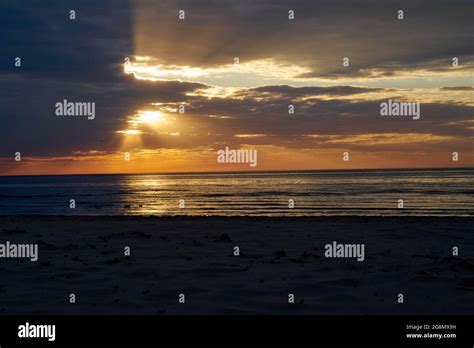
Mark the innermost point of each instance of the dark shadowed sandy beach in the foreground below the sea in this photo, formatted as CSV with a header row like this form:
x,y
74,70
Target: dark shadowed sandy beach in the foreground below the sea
x,y
278,256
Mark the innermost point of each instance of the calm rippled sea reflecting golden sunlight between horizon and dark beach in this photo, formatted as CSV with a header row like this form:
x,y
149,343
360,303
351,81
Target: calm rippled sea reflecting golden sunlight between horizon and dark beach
x,y
424,192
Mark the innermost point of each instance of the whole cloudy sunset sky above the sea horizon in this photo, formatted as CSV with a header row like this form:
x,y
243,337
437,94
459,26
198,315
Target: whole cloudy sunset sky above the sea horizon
x,y
234,67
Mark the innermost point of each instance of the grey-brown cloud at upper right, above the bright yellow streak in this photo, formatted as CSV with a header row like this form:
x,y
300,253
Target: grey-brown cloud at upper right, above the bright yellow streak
x,y
323,32
